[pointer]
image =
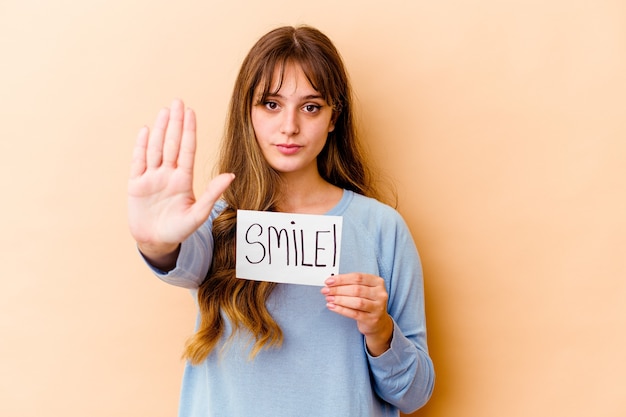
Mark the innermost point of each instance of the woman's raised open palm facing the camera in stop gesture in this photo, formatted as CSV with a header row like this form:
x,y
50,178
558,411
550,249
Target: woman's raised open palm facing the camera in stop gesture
x,y
162,208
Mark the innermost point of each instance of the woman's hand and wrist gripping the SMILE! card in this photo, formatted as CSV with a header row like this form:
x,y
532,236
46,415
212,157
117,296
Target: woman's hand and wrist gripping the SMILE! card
x,y
362,297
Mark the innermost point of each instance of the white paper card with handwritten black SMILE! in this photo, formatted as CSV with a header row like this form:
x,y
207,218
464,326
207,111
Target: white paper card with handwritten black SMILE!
x,y
287,248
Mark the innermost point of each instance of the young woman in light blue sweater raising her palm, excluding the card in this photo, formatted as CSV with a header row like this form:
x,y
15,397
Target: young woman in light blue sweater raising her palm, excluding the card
x,y
357,347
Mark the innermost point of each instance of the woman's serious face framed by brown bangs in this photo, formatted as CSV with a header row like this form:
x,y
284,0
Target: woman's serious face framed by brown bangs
x,y
292,125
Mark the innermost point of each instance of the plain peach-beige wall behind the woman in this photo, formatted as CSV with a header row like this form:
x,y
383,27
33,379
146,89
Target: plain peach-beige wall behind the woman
x,y
502,123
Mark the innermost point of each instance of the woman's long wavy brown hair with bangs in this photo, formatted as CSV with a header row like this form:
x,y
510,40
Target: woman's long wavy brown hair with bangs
x,y
257,185
